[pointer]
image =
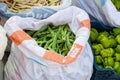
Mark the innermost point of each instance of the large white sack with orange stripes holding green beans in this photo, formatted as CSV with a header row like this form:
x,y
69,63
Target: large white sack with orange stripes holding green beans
x,y
28,61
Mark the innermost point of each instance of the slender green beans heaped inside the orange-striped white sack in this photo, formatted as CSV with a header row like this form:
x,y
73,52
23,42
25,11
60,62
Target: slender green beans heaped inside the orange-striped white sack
x,y
55,38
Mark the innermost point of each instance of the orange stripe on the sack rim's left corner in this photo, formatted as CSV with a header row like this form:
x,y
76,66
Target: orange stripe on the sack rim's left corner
x,y
19,36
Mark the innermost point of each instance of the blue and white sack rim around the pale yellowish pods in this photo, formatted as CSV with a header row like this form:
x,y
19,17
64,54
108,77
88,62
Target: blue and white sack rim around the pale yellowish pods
x,y
36,11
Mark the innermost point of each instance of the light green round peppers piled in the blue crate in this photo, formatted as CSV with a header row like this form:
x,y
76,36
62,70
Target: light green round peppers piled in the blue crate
x,y
106,47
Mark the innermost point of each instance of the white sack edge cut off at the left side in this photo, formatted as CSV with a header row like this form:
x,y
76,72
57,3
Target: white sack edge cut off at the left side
x,y
3,42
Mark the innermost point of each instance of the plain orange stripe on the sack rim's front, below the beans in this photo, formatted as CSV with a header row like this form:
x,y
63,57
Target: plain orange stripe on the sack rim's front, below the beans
x,y
55,57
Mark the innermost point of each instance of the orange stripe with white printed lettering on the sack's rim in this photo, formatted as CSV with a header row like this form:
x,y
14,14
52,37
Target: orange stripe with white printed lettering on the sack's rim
x,y
73,55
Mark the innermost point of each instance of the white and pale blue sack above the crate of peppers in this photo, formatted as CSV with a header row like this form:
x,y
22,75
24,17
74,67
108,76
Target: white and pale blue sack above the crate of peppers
x,y
102,10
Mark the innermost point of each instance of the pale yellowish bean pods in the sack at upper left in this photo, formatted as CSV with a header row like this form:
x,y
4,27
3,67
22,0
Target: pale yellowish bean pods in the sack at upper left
x,y
20,5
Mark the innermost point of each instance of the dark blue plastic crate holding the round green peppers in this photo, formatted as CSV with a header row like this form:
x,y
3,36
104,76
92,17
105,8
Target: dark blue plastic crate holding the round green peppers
x,y
102,73
